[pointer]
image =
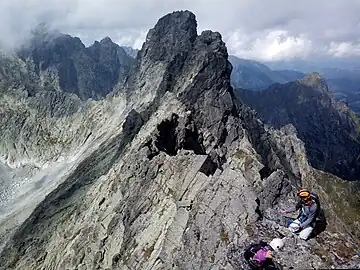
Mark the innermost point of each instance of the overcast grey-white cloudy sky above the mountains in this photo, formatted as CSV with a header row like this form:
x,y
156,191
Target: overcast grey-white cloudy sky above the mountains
x,y
258,29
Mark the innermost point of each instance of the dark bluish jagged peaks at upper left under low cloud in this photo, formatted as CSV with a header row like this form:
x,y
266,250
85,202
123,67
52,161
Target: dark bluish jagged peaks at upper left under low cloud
x,y
61,62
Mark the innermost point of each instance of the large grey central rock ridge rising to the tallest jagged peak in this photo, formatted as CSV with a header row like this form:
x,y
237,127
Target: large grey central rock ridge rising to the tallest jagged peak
x,y
180,176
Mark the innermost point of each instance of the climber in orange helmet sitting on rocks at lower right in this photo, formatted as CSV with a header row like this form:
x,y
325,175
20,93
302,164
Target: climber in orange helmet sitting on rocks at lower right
x,y
309,209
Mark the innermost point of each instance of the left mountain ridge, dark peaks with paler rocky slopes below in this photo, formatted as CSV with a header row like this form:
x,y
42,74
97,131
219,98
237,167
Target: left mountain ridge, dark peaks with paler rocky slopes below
x,y
43,89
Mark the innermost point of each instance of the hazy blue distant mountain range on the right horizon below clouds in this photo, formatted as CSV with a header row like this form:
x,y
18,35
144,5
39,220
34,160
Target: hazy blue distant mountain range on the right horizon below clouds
x,y
344,82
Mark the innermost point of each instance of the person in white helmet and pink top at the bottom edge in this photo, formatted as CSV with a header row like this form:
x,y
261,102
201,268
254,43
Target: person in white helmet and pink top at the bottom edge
x,y
260,255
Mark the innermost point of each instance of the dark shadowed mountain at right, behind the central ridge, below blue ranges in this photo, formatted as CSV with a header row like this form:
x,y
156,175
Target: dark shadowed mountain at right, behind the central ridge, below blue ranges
x,y
328,128
